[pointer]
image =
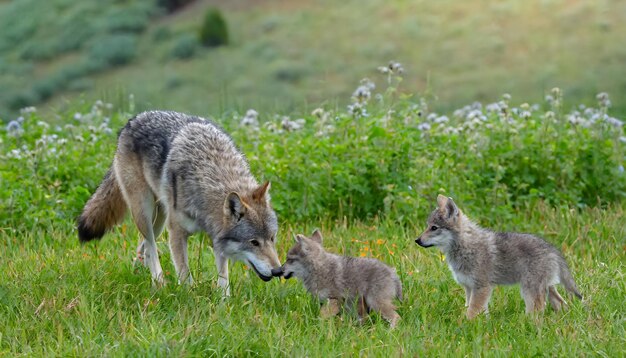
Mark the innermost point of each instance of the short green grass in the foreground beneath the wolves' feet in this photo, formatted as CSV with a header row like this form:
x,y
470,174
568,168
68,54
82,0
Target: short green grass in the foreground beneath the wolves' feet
x,y
60,298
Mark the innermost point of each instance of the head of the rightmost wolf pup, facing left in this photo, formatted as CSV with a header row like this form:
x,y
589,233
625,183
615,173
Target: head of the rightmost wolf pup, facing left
x,y
443,225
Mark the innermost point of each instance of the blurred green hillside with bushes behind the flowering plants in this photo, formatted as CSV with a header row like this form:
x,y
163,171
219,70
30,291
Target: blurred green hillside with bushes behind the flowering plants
x,y
279,55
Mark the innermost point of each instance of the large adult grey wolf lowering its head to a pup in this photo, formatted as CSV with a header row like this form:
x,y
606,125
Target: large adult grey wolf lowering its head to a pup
x,y
184,170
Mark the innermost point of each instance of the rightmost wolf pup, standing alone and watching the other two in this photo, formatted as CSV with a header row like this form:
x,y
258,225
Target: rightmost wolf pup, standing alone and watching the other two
x,y
480,259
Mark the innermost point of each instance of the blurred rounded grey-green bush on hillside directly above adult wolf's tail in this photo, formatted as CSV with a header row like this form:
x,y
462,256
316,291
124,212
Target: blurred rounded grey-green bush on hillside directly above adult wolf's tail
x,y
113,50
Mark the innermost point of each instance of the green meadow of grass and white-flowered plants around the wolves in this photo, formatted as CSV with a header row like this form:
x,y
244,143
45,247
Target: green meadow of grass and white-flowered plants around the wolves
x,y
367,175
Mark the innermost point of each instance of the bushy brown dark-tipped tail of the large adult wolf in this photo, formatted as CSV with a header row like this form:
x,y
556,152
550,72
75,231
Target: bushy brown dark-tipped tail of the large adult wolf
x,y
103,210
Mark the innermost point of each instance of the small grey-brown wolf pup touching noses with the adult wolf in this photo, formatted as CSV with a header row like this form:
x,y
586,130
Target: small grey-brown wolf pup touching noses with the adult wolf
x,y
339,279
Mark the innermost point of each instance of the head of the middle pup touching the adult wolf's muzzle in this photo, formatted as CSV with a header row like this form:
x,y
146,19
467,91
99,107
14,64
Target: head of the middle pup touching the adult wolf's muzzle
x,y
303,255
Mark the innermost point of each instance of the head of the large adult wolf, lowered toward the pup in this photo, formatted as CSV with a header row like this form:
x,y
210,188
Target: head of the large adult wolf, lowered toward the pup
x,y
249,231
